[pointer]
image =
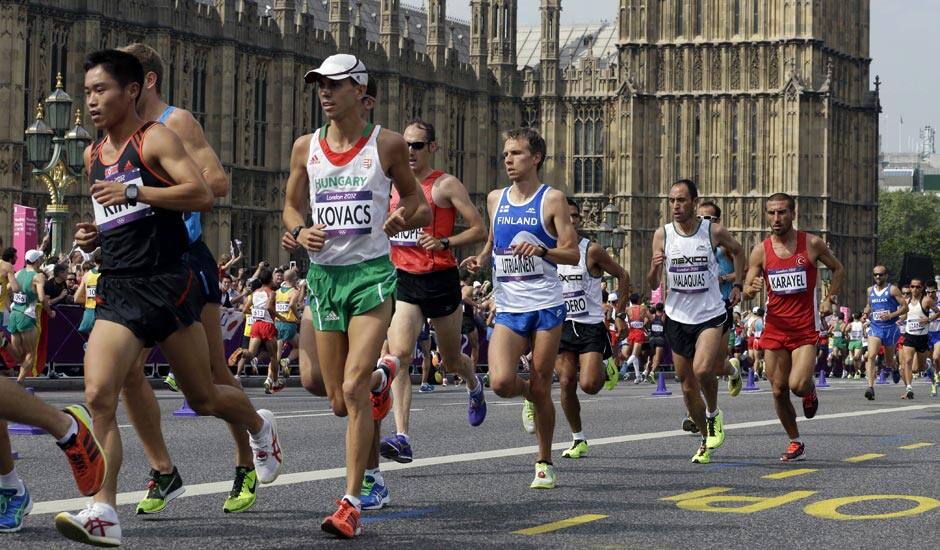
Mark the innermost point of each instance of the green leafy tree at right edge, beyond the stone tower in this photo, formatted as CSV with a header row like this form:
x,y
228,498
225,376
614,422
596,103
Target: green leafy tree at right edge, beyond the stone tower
x,y
908,221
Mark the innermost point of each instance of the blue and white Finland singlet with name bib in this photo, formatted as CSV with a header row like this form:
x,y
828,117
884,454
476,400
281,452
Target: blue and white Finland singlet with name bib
x,y
523,284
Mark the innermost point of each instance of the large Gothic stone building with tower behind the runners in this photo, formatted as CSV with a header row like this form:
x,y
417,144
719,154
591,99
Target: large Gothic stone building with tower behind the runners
x,y
747,97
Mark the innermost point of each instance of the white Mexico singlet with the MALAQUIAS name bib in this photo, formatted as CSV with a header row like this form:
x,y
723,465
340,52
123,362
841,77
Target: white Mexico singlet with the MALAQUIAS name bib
x,y
692,276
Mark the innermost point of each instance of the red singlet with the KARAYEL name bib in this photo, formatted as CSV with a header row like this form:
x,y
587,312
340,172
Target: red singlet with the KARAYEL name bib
x,y
791,288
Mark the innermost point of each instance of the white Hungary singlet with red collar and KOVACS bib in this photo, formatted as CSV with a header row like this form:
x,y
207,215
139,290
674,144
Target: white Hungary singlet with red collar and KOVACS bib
x,y
349,193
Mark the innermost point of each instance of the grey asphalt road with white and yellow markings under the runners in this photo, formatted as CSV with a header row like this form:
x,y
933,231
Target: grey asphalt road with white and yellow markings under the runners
x,y
468,487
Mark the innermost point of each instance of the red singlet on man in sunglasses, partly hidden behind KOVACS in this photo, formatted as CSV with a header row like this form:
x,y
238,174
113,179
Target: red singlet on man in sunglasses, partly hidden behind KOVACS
x,y
407,254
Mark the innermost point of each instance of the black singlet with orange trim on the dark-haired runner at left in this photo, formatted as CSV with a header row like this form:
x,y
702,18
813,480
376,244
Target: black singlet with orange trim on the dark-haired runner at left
x,y
142,241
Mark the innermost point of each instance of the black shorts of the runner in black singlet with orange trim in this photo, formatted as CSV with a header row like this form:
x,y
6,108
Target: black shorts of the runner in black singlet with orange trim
x,y
152,307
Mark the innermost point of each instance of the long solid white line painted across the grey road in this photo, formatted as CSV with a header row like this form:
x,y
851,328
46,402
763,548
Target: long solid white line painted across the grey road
x,y
221,487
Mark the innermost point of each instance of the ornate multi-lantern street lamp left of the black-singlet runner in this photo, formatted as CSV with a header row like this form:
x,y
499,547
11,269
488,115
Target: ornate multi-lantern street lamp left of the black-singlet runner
x,y
57,154
